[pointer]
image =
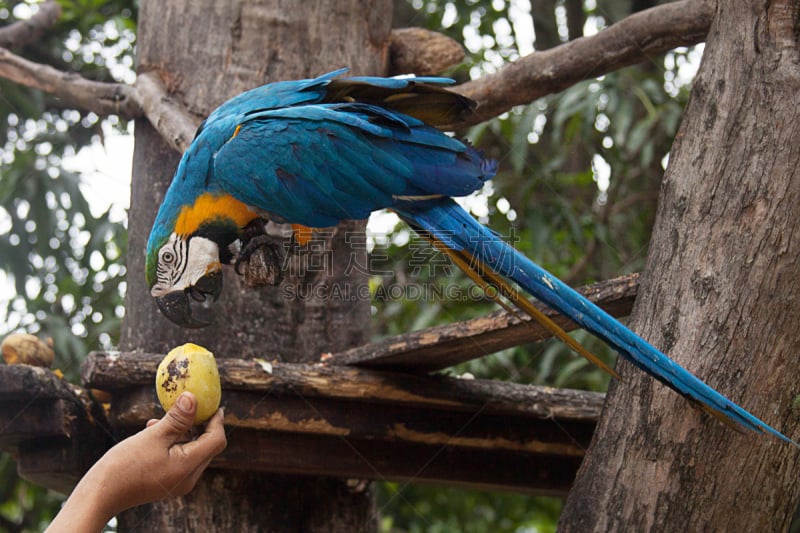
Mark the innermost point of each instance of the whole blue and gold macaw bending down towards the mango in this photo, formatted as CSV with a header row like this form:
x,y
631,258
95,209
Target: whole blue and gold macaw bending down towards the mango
x,y
315,152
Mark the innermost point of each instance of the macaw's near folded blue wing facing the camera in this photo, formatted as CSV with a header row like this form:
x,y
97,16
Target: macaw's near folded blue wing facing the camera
x,y
318,164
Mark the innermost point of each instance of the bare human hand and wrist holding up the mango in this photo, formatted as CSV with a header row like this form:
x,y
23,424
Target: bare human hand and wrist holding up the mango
x,y
153,464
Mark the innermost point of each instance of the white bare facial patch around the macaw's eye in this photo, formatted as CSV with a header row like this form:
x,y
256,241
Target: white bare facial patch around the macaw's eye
x,y
181,263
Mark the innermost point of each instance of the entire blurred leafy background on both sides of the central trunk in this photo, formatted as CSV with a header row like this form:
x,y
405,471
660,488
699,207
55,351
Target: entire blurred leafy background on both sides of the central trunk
x,y
576,192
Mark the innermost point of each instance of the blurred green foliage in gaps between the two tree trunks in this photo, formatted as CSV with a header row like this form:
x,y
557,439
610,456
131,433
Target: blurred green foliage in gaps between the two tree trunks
x,y
576,192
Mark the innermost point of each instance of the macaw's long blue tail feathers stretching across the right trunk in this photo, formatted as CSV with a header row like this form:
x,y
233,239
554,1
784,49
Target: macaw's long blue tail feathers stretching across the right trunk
x,y
454,228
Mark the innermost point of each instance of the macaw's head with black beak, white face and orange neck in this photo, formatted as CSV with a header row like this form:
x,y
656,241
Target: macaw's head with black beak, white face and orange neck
x,y
185,256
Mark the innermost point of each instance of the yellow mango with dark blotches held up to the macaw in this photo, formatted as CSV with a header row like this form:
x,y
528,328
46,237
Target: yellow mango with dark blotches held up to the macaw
x,y
189,368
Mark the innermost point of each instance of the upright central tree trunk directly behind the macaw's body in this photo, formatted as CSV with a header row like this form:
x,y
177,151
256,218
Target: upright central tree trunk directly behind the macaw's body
x,y
207,51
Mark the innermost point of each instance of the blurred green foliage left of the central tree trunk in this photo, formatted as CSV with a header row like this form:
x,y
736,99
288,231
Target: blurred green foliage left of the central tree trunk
x,y
63,263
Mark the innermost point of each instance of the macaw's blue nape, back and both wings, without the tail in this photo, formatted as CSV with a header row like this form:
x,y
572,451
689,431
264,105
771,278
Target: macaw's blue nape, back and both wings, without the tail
x,y
250,146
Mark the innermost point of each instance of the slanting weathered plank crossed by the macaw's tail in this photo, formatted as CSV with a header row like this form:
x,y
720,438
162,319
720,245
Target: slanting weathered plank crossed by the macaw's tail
x,y
439,347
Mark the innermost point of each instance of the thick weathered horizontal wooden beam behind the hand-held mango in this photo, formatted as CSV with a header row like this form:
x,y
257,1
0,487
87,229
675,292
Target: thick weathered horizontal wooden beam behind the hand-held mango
x,y
358,423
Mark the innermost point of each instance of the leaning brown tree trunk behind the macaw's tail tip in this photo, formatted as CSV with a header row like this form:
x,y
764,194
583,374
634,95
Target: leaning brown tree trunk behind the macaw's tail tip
x,y
720,295
